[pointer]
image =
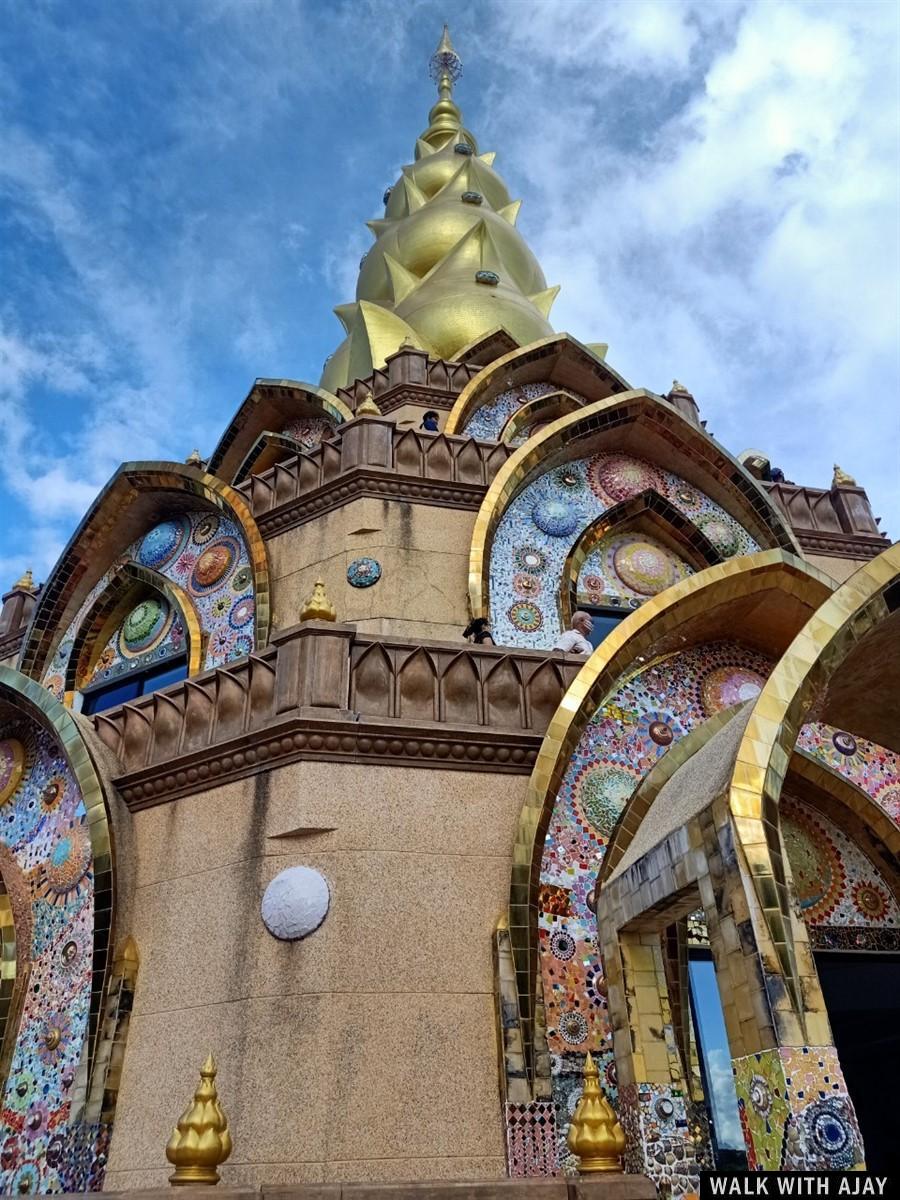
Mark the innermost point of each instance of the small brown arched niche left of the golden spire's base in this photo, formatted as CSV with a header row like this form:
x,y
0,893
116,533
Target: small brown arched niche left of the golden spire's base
x,y
278,418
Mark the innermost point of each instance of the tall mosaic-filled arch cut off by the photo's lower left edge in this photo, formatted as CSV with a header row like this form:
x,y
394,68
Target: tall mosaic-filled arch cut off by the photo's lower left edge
x,y
59,875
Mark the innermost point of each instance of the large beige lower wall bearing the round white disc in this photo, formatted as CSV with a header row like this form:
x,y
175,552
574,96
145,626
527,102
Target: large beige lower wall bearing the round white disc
x,y
367,1052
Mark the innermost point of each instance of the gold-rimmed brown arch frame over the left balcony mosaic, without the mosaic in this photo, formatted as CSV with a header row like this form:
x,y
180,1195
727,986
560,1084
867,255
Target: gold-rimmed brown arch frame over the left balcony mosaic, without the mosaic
x,y
139,496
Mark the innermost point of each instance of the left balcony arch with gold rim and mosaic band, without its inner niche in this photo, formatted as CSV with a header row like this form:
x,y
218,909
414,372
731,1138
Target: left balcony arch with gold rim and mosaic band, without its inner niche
x,y
178,521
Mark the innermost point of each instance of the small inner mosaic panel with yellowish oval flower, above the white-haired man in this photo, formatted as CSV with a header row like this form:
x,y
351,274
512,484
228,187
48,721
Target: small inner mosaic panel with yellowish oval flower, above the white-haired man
x,y
626,568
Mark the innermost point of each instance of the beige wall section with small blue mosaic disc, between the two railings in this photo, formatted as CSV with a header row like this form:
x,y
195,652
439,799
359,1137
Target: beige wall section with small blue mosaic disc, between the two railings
x,y
424,553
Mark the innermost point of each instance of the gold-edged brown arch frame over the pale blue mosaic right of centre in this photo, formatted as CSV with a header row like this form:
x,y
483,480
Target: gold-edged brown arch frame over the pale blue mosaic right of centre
x,y
633,423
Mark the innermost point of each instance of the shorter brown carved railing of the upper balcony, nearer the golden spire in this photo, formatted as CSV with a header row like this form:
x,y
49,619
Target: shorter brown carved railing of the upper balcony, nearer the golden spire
x,y
374,458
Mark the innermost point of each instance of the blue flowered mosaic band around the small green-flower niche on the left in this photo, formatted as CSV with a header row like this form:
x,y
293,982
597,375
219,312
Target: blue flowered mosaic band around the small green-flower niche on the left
x,y
206,555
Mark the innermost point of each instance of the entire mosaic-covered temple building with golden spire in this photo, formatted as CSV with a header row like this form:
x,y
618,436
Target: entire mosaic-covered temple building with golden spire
x,y
262,799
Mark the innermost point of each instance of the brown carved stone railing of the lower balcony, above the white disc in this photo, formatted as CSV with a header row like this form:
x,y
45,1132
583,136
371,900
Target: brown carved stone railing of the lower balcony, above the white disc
x,y
323,692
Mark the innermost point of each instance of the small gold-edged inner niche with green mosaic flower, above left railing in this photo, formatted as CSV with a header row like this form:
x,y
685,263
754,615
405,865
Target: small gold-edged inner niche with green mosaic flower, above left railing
x,y
141,625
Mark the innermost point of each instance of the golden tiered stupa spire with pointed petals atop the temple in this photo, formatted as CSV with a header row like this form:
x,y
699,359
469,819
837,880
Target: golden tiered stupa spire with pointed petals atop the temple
x,y
448,266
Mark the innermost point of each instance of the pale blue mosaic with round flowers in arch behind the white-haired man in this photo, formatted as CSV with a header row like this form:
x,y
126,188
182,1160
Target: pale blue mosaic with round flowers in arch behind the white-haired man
x,y
547,520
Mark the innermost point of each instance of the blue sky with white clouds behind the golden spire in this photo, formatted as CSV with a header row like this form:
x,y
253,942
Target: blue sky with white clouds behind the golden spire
x,y
184,189
